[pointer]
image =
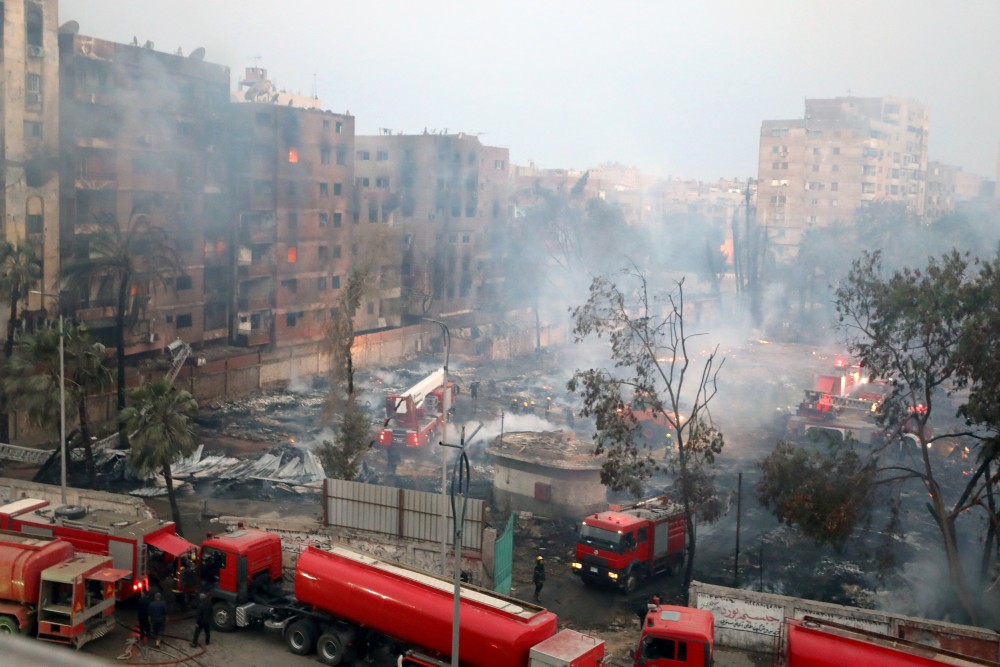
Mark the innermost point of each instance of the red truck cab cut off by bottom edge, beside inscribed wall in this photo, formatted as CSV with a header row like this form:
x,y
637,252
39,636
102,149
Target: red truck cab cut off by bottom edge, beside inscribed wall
x,y
674,636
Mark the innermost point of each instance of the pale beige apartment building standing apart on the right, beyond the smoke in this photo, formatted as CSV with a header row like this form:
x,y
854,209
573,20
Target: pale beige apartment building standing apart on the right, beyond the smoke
x,y
818,170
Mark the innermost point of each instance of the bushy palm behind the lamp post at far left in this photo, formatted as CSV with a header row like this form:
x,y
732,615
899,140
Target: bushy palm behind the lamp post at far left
x,y
33,378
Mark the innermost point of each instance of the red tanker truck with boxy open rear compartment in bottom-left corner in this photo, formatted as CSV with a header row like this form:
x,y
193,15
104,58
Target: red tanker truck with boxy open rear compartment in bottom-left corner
x,y
49,591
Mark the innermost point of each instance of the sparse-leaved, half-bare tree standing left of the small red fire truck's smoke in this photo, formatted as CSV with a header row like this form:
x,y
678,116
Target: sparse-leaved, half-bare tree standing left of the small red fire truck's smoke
x,y
652,369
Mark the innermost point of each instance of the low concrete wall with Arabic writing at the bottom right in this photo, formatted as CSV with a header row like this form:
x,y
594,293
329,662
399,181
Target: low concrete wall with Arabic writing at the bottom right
x,y
752,621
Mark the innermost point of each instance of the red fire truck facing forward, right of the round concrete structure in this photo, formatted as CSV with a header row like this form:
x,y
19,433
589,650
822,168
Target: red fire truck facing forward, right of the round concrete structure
x,y
626,544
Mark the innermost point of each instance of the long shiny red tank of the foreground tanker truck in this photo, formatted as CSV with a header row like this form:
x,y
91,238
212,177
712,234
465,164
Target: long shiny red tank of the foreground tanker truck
x,y
416,607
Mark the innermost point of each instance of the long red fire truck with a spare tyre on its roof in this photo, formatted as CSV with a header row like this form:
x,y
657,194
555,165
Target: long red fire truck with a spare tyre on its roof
x,y
148,549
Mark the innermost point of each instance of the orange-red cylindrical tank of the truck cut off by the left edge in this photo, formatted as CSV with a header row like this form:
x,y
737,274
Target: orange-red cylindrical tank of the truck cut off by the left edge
x,y
22,559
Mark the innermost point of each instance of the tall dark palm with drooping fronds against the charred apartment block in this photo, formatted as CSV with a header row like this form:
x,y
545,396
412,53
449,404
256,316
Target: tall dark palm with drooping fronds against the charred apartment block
x,y
118,259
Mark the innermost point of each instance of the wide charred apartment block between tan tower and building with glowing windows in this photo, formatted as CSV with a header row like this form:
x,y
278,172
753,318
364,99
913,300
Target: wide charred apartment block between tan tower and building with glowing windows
x,y
139,135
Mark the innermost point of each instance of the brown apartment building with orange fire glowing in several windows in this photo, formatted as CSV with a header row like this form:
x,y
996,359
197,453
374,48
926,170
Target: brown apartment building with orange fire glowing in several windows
x,y
292,198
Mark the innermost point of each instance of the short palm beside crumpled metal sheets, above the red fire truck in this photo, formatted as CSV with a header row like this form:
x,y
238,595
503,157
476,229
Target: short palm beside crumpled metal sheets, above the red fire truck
x,y
158,420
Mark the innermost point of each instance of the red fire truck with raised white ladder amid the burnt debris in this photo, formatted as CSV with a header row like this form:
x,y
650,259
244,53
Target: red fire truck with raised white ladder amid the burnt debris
x,y
416,416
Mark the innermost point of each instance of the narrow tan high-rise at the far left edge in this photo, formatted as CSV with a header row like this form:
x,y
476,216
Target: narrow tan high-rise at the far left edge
x,y
29,105
